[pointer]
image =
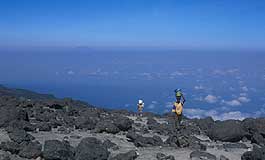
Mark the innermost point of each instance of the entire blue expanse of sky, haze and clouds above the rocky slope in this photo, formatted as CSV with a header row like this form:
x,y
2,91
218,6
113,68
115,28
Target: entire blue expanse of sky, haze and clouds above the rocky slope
x,y
111,53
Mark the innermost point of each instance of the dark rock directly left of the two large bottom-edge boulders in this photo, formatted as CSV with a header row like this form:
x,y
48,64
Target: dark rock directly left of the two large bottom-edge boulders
x,y
30,150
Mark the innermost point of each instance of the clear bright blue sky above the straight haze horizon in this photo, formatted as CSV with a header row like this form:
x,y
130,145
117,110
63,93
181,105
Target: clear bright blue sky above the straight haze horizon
x,y
163,23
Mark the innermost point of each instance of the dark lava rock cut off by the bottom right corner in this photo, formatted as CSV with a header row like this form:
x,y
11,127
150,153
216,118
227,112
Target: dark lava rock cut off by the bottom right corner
x,y
256,154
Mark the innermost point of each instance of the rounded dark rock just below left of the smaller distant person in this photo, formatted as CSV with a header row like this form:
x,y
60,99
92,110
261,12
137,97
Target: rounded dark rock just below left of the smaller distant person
x,y
123,123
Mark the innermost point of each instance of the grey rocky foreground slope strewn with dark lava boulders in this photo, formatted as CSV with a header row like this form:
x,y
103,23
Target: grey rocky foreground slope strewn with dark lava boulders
x,y
64,129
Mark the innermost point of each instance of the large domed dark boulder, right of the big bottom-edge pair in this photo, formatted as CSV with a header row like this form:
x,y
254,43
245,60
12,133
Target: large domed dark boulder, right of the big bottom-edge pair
x,y
91,149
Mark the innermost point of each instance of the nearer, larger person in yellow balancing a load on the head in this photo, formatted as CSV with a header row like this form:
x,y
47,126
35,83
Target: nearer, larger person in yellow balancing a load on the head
x,y
178,108
